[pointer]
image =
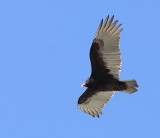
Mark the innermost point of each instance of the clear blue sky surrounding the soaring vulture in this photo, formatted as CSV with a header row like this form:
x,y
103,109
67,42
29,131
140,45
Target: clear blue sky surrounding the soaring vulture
x,y
44,58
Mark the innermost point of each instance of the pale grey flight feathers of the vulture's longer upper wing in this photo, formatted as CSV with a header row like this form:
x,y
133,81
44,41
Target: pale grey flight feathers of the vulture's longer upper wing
x,y
108,41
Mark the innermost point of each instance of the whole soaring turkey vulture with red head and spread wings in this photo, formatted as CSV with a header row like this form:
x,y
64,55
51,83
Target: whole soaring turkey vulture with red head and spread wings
x,y
105,60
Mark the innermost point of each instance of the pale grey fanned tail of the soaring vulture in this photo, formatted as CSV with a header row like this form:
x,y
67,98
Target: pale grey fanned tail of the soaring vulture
x,y
131,86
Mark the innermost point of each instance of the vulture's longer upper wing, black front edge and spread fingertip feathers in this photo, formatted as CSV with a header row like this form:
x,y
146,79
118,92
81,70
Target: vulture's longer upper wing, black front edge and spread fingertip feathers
x,y
105,55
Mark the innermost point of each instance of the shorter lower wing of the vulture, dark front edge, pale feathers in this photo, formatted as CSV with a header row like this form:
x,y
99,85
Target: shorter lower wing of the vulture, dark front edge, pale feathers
x,y
92,101
